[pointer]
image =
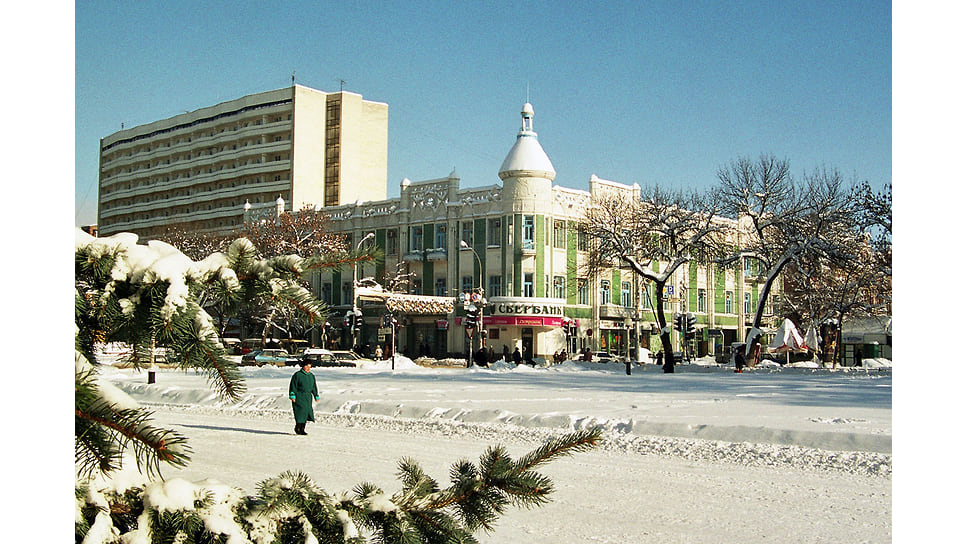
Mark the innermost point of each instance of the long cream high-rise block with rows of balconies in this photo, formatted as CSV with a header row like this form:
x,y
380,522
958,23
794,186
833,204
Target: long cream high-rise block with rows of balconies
x,y
198,170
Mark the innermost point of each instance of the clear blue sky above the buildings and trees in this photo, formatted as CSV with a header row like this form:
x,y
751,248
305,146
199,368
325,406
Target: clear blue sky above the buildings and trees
x,y
646,92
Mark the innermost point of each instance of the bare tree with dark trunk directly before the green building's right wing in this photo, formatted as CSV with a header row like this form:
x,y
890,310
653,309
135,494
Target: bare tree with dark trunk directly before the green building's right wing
x,y
653,234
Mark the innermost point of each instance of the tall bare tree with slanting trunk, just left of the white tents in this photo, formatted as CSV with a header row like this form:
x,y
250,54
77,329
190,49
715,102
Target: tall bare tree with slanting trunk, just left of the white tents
x,y
786,221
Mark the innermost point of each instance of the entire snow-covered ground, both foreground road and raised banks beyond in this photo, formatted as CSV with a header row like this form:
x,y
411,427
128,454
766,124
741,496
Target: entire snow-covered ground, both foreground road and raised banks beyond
x,y
703,455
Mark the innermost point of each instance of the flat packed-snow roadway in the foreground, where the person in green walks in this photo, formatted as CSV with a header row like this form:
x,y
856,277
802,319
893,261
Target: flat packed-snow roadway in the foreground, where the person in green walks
x,y
601,496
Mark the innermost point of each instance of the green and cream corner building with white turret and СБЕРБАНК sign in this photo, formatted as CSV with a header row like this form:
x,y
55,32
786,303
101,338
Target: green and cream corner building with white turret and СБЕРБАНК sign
x,y
520,242
